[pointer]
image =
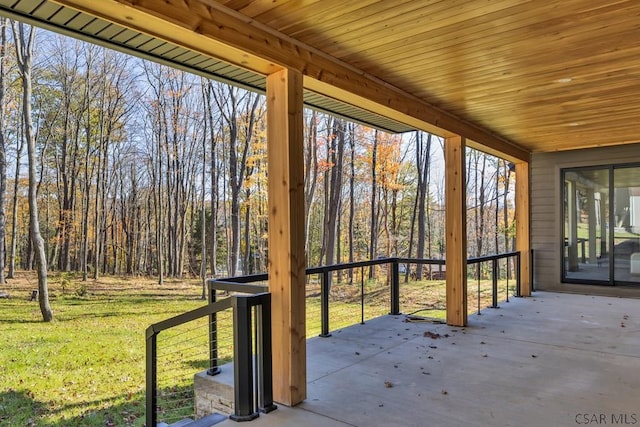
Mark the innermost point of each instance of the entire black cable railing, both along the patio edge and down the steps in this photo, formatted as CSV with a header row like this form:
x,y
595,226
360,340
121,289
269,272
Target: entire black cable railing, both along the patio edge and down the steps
x,y
338,295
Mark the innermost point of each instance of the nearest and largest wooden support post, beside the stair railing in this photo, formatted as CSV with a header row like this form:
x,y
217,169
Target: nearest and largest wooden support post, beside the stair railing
x,y
287,261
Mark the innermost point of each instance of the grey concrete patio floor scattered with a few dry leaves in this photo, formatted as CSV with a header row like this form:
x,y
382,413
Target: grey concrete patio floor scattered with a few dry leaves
x,y
550,360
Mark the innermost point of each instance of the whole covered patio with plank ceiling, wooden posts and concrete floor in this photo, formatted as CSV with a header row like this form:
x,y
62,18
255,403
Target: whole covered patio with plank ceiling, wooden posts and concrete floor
x,y
544,85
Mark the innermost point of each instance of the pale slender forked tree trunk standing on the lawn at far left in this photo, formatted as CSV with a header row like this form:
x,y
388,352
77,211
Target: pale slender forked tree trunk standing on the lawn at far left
x,y
24,51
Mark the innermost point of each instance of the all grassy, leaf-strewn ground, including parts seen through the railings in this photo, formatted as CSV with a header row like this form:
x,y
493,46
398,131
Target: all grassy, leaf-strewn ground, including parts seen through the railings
x,y
87,367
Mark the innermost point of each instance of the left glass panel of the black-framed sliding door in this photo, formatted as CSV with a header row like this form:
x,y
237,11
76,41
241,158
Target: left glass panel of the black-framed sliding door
x,y
586,225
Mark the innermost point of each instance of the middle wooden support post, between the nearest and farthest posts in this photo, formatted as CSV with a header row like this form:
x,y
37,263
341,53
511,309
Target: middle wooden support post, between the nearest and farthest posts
x,y
456,231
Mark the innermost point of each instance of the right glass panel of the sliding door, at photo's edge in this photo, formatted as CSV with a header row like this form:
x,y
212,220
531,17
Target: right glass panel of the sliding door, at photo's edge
x,y
626,230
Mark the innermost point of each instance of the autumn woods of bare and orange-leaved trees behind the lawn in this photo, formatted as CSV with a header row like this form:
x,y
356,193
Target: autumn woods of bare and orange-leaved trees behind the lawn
x,y
140,169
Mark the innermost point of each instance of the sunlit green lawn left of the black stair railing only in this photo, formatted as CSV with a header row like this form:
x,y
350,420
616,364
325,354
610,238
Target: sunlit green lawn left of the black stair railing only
x,y
86,368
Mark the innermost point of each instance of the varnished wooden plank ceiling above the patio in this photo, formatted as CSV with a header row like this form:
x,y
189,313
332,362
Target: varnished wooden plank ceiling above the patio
x,y
546,74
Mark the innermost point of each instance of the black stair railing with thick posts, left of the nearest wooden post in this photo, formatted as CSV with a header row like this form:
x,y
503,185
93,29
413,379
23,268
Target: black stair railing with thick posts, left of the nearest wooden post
x,y
251,326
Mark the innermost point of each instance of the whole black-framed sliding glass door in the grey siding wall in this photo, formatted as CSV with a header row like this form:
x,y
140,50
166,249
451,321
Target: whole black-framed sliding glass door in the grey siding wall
x,y
601,233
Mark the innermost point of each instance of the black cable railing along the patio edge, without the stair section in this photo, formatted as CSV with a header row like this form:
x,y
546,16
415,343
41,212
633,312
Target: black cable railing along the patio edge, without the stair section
x,y
361,295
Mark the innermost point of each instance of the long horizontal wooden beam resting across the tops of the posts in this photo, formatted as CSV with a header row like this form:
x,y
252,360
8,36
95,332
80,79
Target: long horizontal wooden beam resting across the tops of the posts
x,y
213,29
